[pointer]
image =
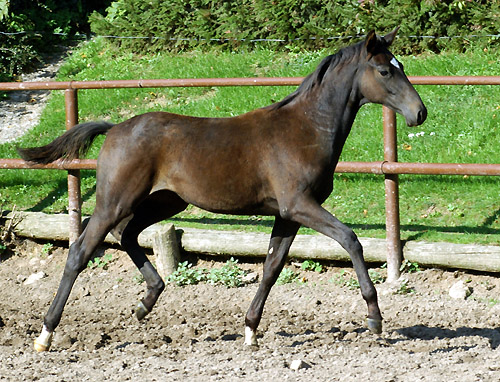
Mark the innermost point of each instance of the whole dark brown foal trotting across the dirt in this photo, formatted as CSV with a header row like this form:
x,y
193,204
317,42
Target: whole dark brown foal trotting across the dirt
x,y
278,160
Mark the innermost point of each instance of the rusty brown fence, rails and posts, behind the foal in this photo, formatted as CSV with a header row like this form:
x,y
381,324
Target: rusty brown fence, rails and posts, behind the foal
x,y
389,167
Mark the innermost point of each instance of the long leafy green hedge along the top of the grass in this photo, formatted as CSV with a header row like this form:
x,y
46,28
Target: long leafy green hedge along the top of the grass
x,y
181,24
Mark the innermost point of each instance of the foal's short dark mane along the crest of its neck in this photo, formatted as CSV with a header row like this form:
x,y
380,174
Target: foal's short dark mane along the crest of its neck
x,y
316,78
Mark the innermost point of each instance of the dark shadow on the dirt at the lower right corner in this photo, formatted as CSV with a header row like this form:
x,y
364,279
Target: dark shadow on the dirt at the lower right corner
x,y
422,332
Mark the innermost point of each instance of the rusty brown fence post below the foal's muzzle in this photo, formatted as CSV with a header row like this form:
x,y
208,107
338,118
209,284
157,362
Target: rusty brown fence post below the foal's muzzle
x,y
394,252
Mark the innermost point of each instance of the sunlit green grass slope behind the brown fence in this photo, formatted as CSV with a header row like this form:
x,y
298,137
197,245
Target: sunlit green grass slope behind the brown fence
x,y
463,126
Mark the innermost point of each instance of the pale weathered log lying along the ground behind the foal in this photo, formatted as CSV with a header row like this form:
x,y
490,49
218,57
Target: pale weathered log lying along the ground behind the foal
x,y
315,247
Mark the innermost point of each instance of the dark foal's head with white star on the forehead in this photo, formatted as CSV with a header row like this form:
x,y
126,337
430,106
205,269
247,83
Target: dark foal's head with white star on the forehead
x,y
383,81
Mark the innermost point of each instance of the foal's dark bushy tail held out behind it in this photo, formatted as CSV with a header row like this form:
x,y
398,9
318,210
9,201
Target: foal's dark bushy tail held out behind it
x,y
72,144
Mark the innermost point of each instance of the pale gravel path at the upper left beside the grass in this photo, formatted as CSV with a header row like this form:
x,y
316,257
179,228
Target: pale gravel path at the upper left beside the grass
x,y
21,111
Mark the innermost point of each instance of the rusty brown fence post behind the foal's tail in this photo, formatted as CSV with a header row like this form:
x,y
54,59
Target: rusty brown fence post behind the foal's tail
x,y
74,192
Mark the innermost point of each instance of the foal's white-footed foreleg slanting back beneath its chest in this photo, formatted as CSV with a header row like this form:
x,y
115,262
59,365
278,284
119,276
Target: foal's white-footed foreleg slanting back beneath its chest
x,y
284,232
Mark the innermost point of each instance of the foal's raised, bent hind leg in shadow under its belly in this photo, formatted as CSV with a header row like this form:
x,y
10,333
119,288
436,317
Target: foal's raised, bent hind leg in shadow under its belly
x,y
156,207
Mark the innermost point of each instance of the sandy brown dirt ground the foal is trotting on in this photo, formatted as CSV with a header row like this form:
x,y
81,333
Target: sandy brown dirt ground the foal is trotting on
x,y
195,332
